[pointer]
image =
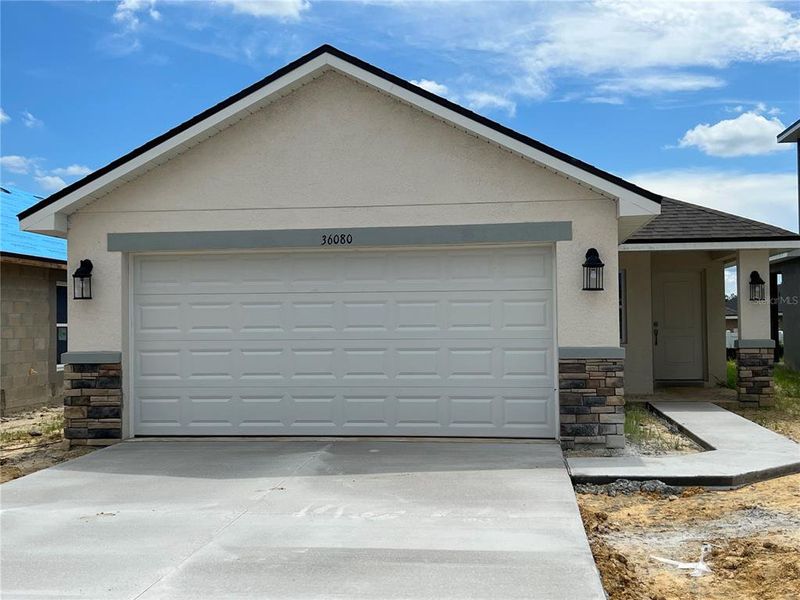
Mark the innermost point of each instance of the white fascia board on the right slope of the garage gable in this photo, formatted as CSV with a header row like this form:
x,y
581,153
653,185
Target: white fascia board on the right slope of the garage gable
x,y
631,203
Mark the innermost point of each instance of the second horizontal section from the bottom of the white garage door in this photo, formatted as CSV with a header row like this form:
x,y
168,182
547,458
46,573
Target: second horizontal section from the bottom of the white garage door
x,y
489,362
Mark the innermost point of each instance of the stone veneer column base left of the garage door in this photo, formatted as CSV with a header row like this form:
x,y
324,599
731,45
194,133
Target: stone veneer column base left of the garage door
x,y
93,403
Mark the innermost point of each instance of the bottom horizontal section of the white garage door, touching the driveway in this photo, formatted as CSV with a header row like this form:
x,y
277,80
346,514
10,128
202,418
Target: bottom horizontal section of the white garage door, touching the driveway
x,y
372,411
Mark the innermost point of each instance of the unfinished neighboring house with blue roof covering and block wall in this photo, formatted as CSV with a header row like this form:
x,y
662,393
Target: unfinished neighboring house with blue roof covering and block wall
x,y
33,319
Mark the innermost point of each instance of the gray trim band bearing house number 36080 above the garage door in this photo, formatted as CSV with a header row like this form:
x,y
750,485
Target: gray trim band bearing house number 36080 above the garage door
x,y
495,233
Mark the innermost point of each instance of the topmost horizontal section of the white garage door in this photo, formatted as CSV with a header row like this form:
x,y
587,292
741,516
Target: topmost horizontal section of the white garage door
x,y
343,271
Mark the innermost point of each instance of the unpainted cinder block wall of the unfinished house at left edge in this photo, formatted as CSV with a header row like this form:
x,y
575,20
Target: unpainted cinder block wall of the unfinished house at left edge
x,y
28,375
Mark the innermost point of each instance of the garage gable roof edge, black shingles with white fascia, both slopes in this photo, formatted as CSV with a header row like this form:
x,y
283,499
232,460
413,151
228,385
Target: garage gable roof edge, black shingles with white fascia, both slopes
x,y
293,75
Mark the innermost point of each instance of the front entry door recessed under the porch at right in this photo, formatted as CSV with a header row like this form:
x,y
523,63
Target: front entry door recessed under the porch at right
x,y
678,326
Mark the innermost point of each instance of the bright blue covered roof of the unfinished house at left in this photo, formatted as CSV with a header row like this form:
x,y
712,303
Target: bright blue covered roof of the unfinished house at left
x,y
24,244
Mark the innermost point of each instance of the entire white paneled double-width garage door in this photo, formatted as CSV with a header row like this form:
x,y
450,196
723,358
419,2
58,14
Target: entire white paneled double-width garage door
x,y
402,342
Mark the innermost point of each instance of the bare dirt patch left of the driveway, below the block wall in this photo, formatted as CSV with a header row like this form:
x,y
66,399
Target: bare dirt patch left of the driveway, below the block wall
x,y
32,441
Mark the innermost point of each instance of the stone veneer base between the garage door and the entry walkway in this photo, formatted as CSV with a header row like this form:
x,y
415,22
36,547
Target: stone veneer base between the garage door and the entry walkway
x,y
592,402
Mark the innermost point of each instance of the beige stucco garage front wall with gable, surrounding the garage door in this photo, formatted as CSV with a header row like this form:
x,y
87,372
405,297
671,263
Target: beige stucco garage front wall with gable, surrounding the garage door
x,y
338,154
